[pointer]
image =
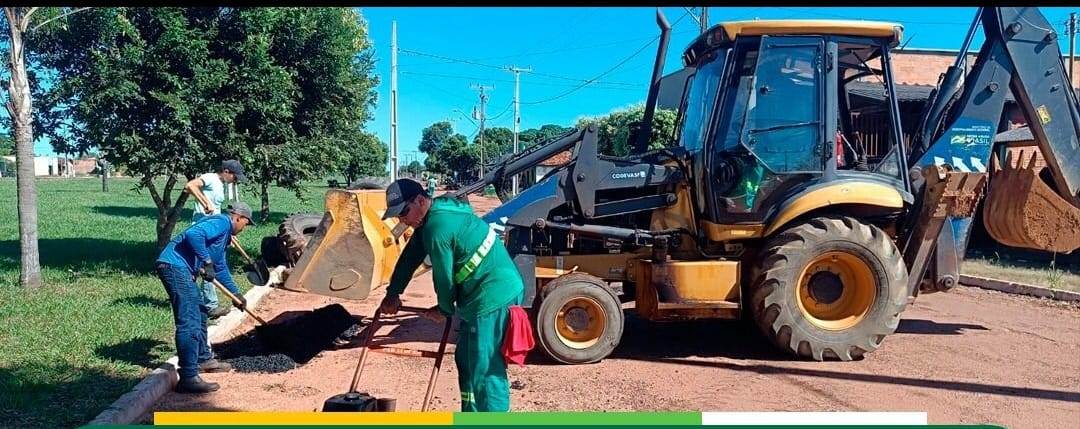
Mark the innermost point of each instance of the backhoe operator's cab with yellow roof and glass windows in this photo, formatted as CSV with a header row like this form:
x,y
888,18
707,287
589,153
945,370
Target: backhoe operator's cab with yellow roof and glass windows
x,y
778,109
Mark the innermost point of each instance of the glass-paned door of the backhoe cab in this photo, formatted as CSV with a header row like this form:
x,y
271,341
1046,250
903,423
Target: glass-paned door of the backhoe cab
x,y
771,136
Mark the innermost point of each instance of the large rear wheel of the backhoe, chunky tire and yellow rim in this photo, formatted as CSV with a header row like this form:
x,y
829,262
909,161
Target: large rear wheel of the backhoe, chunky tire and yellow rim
x,y
830,289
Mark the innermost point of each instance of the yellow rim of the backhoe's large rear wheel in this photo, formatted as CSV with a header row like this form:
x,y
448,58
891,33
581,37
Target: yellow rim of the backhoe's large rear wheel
x,y
836,291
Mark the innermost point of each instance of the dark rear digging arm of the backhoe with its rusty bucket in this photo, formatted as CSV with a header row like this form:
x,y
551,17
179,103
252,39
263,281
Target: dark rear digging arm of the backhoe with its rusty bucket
x,y
1020,55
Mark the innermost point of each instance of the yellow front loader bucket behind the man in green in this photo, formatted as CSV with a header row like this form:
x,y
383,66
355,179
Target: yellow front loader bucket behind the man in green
x,y
353,252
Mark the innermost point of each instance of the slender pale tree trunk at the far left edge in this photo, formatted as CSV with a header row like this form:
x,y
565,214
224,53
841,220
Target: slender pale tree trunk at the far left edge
x,y
19,110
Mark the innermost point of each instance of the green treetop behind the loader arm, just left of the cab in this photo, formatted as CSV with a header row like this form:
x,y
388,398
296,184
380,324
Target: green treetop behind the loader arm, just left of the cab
x,y
614,129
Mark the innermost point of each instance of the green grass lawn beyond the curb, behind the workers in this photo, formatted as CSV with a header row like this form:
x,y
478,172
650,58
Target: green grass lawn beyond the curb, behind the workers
x,y
102,321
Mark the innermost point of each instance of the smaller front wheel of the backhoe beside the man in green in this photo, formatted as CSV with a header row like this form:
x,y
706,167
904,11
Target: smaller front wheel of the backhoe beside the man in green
x,y
580,319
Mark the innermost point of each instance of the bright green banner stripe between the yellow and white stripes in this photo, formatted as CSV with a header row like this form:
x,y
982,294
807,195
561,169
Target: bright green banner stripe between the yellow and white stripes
x,y
588,419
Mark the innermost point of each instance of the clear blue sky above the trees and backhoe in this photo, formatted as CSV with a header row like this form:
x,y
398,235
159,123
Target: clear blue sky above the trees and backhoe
x,y
565,47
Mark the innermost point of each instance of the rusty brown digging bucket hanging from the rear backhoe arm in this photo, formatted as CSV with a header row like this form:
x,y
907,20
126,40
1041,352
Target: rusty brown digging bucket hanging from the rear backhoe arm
x,y
1022,211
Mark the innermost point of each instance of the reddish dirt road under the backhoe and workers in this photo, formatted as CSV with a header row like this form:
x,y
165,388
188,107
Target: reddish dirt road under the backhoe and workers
x,y
969,356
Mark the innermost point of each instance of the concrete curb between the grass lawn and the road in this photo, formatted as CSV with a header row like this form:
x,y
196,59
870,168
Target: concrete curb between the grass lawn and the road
x,y
139,403
